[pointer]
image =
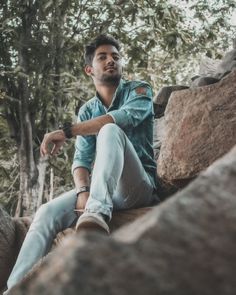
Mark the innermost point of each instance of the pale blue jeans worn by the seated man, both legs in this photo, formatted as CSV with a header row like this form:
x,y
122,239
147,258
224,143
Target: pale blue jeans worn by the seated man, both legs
x,y
118,181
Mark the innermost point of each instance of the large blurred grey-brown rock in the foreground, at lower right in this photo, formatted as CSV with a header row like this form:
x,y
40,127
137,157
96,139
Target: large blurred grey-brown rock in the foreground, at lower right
x,y
184,246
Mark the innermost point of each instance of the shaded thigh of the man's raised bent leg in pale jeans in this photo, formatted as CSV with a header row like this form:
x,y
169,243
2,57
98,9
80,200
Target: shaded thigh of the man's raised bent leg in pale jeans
x,y
134,188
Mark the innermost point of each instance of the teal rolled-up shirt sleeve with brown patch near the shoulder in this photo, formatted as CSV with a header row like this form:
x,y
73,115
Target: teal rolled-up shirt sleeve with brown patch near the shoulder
x,y
136,109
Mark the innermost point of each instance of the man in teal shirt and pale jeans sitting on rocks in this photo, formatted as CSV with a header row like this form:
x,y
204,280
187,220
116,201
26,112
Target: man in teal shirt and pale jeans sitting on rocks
x,y
113,148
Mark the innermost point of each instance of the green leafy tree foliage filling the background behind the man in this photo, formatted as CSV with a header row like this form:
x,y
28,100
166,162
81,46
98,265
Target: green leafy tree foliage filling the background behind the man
x,y
41,43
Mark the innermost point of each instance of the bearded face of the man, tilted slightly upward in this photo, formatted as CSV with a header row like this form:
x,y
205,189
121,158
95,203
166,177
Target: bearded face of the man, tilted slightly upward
x,y
106,66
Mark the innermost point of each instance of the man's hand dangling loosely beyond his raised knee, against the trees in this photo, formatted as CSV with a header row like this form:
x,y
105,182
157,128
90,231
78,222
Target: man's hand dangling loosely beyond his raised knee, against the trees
x,y
56,138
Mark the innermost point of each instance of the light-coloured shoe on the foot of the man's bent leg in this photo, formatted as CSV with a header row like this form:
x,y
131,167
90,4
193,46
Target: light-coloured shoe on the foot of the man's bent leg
x,y
92,221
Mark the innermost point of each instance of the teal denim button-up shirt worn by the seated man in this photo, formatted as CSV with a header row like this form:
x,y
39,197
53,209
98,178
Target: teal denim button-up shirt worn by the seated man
x,y
132,110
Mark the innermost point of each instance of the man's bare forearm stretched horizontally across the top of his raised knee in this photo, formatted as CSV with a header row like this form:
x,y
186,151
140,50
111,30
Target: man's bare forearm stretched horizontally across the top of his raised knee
x,y
92,126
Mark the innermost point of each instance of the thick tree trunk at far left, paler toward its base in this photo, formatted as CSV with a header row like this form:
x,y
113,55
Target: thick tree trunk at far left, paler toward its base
x,y
27,202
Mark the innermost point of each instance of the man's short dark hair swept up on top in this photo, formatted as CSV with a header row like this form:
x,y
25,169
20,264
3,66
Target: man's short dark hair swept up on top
x,y
94,44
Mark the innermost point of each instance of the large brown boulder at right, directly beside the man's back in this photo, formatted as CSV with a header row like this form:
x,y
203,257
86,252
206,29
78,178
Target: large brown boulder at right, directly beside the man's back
x,y
200,126
